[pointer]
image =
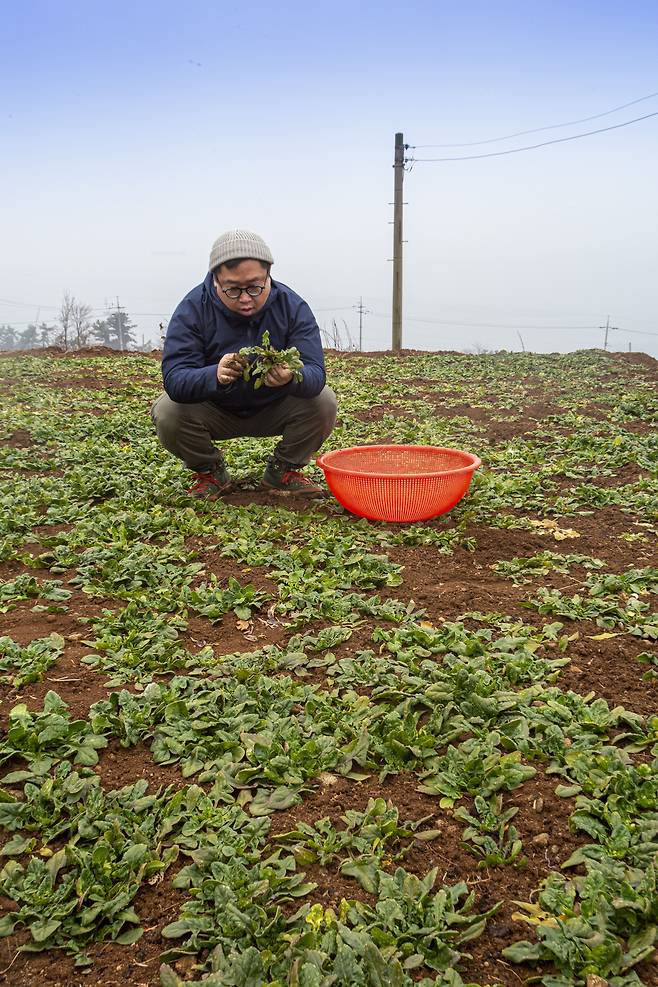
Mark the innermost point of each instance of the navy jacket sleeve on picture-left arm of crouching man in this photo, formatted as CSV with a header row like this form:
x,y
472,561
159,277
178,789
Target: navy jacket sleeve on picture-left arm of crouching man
x,y
185,375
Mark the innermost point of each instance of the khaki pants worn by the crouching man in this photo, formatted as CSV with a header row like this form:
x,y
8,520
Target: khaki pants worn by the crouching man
x,y
189,430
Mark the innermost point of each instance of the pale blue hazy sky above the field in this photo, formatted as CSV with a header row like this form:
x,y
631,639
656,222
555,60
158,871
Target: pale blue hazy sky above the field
x,y
132,134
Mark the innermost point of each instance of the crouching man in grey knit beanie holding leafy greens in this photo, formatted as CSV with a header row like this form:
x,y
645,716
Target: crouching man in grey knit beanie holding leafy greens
x,y
206,398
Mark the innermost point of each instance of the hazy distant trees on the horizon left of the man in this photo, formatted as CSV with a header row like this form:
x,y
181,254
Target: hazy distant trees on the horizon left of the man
x,y
74,329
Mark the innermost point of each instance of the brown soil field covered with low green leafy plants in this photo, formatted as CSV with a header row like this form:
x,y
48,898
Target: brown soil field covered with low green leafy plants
x,y
507,620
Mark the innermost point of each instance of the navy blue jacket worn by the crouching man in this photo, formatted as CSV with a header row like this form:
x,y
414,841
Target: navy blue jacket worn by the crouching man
x,y
203,329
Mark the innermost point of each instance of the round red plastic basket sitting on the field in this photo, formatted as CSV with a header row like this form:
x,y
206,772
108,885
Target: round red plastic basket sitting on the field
x,y
398,483
